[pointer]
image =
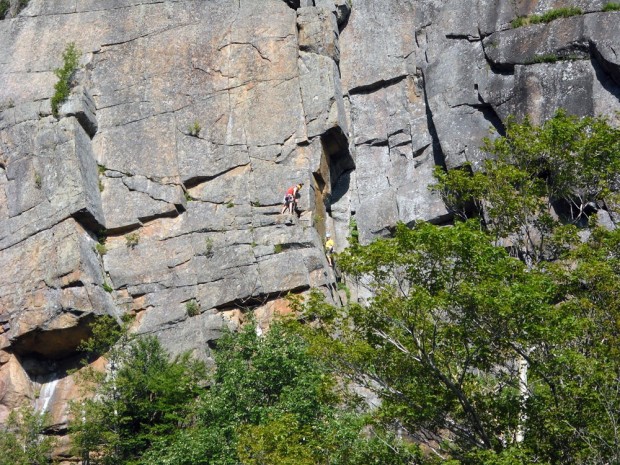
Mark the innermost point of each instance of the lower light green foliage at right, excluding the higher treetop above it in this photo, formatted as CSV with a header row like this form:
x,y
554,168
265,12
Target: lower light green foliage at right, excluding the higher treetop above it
x,y
451,314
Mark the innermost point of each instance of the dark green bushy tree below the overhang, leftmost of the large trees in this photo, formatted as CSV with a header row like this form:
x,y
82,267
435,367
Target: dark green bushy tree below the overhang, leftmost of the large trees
x,y
146,397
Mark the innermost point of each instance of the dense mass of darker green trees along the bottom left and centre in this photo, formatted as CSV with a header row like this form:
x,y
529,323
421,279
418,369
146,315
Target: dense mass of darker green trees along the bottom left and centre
x,y
268,401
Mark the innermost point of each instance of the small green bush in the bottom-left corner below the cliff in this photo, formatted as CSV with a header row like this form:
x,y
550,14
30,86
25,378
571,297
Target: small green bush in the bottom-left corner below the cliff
x,y
22,441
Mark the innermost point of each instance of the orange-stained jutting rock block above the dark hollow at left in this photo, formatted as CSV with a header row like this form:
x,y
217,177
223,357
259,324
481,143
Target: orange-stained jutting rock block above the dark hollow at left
x,y
54,291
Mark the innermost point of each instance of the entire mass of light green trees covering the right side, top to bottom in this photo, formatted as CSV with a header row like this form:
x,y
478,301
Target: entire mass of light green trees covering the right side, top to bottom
x,y
494,341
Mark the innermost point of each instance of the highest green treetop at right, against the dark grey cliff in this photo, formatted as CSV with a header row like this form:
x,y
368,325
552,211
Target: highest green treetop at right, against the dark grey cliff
x,y
566,165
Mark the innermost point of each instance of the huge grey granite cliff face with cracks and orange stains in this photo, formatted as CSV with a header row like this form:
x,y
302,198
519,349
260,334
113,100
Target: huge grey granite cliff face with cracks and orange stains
x,y
188,120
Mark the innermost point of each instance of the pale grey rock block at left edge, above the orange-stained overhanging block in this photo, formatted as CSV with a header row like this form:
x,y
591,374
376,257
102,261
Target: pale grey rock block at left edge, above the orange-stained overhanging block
x,y
63,180
